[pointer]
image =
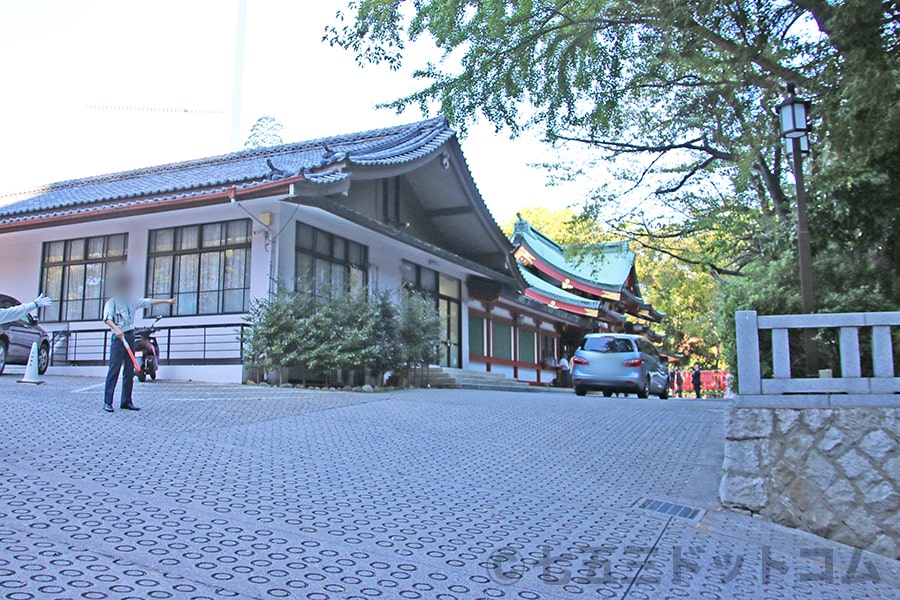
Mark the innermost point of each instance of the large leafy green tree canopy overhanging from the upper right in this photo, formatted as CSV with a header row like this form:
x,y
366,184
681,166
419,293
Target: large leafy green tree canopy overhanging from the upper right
x,y
680,95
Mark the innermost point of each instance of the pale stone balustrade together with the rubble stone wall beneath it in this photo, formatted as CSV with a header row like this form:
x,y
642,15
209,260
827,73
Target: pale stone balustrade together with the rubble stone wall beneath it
x,y
822,455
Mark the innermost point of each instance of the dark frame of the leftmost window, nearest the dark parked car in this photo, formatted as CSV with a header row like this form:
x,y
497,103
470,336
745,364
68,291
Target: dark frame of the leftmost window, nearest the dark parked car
x,y
58,312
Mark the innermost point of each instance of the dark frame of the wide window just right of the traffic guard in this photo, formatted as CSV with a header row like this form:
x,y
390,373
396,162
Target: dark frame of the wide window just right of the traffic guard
x,y
221,249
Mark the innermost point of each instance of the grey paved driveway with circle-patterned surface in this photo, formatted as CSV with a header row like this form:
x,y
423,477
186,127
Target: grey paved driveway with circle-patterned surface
x,y
231,491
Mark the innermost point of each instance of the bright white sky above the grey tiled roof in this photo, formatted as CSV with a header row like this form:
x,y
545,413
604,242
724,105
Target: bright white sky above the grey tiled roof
x,y
96,86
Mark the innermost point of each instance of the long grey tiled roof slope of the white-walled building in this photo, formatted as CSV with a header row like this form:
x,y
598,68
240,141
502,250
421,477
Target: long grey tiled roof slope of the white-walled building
x,y
245,169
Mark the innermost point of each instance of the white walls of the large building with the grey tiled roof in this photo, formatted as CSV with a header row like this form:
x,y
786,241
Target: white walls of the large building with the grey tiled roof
x,y
272,257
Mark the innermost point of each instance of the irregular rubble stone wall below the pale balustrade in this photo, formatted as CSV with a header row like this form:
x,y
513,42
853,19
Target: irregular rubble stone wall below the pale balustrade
x,y
834,471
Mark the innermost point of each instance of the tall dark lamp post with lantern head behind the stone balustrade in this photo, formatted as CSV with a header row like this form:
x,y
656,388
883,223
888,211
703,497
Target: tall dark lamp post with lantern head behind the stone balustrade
x,y
794,129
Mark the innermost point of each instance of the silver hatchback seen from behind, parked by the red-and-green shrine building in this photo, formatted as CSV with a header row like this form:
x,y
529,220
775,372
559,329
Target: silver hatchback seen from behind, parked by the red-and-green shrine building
x,y
619,363
